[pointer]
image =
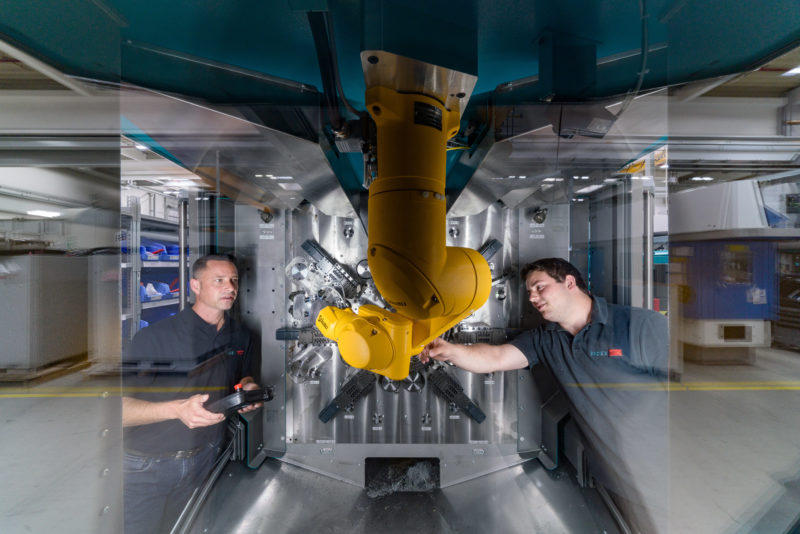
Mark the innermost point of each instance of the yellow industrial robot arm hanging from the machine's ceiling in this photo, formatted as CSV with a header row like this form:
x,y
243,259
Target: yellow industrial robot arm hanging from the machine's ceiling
x,y
431,286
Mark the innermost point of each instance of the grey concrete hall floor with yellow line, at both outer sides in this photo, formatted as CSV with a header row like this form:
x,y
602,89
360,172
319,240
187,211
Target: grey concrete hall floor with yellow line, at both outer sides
x,y
734,451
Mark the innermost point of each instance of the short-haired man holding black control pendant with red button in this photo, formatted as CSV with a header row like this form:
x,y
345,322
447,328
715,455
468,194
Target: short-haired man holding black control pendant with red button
x,y
170,439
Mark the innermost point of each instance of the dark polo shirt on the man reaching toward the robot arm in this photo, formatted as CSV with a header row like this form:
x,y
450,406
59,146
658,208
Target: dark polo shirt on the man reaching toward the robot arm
x,y
614,374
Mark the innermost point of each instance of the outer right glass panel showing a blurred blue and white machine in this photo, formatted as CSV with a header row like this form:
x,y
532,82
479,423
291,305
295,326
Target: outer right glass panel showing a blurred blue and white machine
x,y
733,174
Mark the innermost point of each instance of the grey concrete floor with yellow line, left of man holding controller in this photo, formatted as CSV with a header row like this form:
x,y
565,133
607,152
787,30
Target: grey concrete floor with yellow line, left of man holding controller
x,y
60,457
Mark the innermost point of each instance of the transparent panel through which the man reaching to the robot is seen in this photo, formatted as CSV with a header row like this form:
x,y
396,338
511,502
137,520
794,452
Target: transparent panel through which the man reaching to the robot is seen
x,y
612,421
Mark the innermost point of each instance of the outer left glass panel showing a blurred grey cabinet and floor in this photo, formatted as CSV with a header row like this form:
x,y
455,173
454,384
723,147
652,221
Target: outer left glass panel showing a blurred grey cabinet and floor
x,y
60,451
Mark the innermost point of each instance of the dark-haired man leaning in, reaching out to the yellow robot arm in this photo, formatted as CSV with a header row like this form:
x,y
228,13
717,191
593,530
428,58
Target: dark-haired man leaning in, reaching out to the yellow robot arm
x,y
611,362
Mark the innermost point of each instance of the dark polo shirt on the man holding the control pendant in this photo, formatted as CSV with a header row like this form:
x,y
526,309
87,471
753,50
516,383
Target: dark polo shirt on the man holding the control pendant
x,y
217,360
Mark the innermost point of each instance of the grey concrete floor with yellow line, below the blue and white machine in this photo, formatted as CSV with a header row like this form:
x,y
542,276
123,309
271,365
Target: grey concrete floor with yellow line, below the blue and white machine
x,y
735,446
